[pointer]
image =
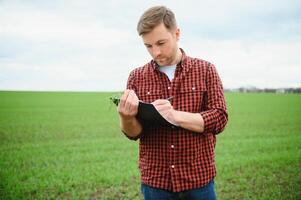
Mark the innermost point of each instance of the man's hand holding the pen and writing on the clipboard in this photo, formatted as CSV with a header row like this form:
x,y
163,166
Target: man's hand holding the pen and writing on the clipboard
x,y
164,107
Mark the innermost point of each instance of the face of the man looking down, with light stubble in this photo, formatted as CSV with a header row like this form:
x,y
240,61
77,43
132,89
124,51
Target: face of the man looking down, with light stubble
x,y
162,45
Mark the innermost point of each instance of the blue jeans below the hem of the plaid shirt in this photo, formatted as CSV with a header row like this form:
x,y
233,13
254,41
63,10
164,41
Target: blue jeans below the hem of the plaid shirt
x,y
204,193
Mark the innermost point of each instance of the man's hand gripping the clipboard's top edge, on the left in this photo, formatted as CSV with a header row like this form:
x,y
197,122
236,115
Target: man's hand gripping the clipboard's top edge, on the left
x,y
128,105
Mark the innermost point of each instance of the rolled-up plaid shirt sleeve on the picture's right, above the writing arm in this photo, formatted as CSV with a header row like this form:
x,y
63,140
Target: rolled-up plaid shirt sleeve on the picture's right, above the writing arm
x,y
215,116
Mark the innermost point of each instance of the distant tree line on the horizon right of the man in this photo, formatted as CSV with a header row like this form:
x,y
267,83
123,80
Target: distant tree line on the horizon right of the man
x,y
264,90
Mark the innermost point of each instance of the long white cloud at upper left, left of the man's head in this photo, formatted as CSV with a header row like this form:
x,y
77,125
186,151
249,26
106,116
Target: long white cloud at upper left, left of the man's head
x,y
40,26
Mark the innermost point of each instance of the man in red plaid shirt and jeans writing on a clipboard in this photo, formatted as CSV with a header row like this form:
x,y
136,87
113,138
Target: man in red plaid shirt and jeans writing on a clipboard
x,y
176,161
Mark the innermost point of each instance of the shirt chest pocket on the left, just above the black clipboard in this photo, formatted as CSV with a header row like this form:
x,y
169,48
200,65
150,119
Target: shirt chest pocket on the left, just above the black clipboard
x,y
150,94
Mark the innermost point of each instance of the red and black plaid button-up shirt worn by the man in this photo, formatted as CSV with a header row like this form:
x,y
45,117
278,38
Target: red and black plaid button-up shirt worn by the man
x,y
173,158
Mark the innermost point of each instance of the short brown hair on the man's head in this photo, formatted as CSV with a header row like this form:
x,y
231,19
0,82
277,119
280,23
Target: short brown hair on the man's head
x,y
155,16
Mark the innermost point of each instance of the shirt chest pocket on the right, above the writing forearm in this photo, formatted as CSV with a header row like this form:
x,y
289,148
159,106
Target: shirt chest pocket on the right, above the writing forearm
x,y
192,98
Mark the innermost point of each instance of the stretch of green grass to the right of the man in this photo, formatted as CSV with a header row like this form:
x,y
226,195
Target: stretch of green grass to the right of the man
x,y
259,154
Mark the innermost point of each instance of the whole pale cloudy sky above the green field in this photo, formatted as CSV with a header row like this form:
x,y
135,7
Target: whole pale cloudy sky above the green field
x,y
92,45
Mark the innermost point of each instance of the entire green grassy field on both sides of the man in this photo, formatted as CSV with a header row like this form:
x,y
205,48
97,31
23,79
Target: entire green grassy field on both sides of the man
x,y
68,146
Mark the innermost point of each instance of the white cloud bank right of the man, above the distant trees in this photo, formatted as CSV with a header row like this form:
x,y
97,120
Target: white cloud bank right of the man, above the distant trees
x,y
274,64
